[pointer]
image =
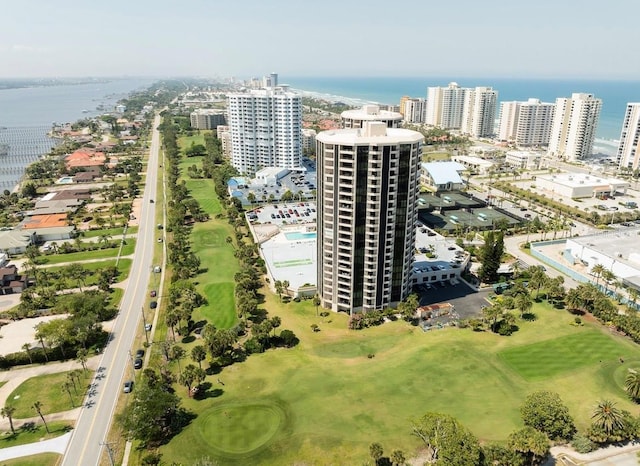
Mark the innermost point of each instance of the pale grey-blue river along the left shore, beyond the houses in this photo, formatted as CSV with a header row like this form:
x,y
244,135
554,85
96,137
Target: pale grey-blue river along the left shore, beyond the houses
x,y
26,115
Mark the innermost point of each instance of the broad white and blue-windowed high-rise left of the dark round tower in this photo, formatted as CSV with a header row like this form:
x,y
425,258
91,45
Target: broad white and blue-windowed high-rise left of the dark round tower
x,y
266,129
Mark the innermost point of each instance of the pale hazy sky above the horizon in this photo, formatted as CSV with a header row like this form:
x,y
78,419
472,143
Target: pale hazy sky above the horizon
x,y
586,39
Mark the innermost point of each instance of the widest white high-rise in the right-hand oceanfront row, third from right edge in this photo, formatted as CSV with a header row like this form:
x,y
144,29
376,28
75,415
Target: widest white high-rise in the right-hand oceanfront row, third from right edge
x,y
527,124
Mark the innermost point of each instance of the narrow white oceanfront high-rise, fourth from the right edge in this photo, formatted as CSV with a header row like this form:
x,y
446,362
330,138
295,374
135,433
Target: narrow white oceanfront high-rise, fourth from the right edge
x,y
479,112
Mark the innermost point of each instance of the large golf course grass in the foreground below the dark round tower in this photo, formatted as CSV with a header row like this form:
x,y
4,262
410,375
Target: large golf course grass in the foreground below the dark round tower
x,y
325,401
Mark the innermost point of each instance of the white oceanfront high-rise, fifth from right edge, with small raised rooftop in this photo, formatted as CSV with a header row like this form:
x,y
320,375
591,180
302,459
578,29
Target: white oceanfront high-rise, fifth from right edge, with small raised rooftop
x,y
445,106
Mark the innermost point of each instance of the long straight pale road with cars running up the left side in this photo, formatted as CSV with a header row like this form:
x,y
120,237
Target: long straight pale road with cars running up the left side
x,y
90,434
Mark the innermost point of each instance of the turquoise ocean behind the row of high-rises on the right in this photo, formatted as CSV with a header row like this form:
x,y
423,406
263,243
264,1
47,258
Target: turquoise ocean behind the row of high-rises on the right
x,y
388,90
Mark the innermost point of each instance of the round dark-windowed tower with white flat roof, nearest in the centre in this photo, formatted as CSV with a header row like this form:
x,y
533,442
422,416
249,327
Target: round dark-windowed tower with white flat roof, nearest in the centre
x,y
367,210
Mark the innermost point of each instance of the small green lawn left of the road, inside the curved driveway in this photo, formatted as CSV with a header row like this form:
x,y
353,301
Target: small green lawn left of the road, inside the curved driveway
x,y
54,399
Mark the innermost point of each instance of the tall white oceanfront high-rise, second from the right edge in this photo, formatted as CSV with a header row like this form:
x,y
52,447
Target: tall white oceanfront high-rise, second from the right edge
x,y
575,121
